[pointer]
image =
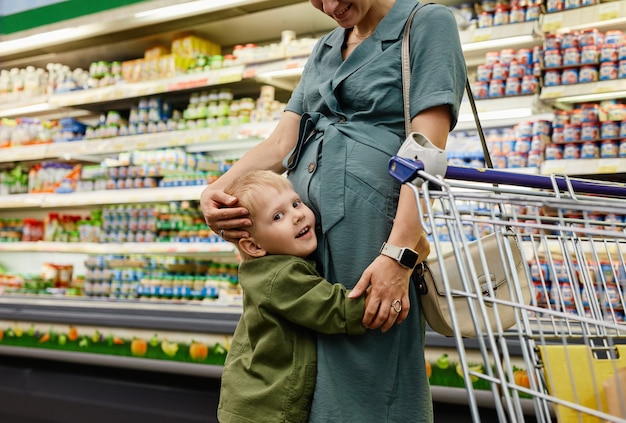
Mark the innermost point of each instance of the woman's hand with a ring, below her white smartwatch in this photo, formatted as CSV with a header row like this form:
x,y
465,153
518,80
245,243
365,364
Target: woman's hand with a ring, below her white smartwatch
x,y
387,283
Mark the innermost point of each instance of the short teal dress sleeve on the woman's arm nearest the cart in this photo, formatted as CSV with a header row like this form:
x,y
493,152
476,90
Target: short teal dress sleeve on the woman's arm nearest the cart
x,y
438,69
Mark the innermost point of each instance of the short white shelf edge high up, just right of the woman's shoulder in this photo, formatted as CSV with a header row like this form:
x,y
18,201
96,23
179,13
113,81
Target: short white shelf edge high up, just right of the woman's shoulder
x,y
476,42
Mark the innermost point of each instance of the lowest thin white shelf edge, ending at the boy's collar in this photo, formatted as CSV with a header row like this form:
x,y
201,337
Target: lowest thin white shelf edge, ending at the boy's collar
x,y
169,248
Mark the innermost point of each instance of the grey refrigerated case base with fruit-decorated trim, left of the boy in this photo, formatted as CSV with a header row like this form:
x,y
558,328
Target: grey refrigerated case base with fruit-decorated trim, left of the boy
x,y
208,322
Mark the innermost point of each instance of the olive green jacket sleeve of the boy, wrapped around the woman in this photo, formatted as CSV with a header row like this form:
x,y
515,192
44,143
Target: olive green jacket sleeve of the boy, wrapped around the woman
x,y
303,297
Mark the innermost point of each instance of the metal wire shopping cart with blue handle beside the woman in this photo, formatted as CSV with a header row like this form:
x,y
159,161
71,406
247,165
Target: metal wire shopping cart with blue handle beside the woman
x,y
564,359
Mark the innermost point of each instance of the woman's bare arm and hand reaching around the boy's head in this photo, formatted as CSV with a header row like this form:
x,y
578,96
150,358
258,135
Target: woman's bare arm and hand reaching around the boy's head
x,y
217,206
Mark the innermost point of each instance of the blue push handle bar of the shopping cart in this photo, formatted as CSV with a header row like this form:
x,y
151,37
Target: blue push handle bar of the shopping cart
x,y
406,170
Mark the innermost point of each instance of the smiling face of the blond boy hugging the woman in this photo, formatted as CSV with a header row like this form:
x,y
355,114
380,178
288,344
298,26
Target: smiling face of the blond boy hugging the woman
x,y
283,224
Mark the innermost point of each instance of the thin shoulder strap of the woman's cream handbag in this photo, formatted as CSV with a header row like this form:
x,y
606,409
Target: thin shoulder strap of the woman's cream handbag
x,y
406,84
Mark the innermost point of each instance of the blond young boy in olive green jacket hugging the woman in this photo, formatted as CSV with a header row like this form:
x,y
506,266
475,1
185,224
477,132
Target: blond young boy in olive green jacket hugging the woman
x,y
270,370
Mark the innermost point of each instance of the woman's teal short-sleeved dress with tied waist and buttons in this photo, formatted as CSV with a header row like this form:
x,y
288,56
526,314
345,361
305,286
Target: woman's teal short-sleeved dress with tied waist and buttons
x,y
352,122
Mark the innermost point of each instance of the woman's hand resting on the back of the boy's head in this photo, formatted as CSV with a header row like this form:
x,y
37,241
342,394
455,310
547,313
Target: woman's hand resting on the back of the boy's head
x,y
222,215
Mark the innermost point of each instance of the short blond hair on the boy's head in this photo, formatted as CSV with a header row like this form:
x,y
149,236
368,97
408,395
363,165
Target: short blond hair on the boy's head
x,y
250,186
